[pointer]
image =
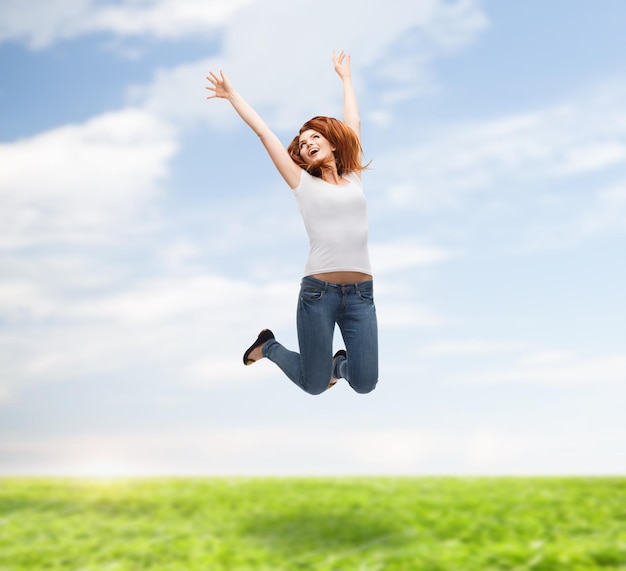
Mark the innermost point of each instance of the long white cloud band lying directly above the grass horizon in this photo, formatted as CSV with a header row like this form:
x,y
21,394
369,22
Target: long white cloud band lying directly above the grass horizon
x,y
303,450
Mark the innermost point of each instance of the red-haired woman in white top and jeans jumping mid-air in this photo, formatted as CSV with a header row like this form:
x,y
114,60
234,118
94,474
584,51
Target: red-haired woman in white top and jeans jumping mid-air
x,y
322,165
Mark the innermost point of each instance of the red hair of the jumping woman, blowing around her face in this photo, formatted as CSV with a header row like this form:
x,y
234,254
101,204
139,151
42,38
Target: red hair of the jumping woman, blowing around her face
x,y
347,147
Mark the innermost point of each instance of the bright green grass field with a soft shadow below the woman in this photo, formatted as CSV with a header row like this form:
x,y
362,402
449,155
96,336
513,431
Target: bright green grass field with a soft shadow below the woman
x,y
430,524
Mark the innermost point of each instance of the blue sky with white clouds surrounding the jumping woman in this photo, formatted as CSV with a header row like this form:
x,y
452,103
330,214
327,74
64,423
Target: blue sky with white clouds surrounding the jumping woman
x,y
145,238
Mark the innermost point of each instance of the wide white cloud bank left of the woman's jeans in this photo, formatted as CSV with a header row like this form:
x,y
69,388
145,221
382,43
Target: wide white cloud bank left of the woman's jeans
x,y
173,324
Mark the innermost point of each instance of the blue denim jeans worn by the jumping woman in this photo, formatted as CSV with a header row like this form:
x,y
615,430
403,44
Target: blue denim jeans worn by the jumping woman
x,y
321,305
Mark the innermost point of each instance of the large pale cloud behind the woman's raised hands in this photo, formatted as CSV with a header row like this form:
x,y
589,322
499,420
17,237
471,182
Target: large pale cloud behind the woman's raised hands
x,y
300,83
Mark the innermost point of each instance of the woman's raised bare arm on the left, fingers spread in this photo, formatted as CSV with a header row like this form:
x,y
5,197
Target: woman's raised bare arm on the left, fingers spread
x,y
222,88
